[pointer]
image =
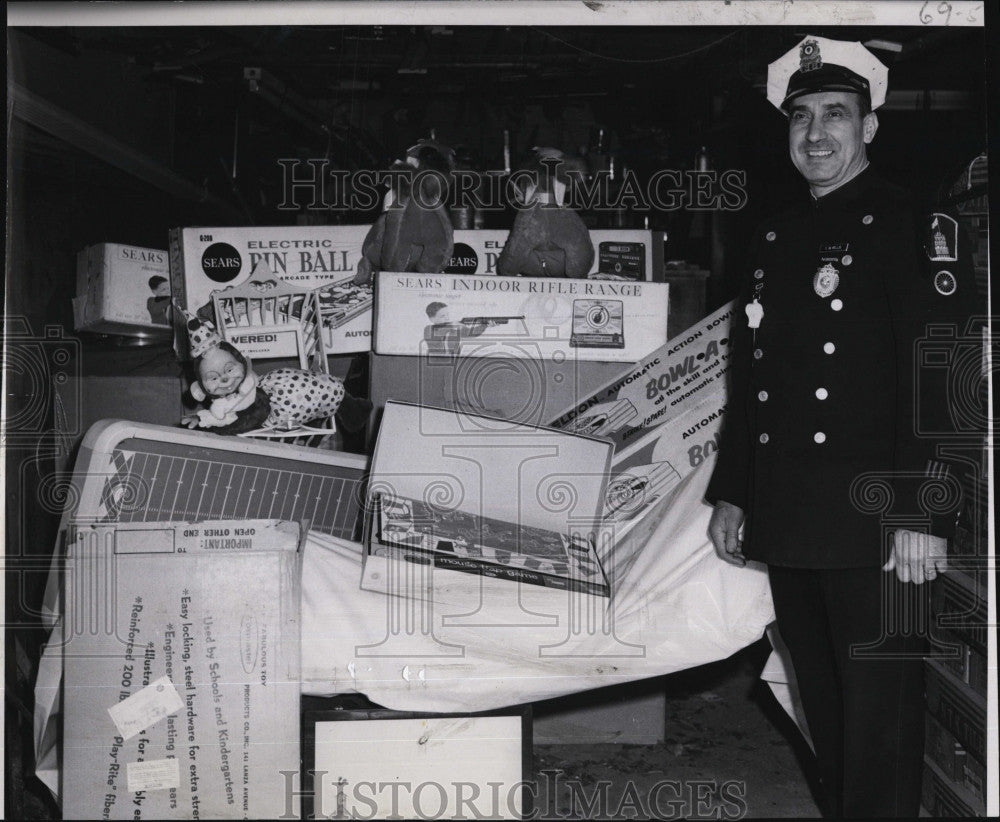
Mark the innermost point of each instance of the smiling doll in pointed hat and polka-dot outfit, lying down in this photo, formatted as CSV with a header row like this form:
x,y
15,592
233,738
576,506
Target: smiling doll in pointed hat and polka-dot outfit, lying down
x,y
282,399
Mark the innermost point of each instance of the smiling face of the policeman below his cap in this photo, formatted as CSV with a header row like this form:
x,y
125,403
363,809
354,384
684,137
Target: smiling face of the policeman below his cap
x,y
827,135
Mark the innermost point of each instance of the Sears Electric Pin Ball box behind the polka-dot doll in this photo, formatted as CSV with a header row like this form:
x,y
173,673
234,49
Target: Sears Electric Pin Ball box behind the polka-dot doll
x,y
203,260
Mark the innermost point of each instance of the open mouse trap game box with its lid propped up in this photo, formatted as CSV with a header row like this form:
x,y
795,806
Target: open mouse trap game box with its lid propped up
x,y
476,496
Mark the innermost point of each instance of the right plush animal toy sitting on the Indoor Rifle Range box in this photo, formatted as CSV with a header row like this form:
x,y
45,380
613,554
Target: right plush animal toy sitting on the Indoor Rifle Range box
x,y
547,239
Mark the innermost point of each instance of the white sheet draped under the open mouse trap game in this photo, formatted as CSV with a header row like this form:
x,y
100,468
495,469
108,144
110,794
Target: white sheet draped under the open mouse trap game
x,y
677,606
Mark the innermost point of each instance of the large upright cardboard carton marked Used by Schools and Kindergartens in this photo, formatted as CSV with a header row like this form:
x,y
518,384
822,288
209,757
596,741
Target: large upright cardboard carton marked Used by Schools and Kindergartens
x,y
181,670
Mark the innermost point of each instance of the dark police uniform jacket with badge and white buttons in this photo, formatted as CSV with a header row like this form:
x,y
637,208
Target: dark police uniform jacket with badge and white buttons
x,y
819,446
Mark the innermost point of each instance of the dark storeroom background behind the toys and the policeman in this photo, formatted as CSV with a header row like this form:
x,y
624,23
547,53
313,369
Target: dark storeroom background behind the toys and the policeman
x,y
119,134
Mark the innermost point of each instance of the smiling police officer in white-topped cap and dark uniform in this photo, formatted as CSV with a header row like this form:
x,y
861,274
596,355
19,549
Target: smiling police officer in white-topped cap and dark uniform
x,y
847,505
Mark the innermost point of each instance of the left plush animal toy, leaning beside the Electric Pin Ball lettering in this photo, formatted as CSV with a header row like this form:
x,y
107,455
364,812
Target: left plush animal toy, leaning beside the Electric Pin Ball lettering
x,y
414,232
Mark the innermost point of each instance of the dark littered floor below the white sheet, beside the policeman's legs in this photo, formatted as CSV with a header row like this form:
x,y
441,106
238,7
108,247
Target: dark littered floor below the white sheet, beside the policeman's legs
x,y
730,752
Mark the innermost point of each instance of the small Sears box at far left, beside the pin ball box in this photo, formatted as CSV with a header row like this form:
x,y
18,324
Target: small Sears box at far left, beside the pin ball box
x,y
122,289
